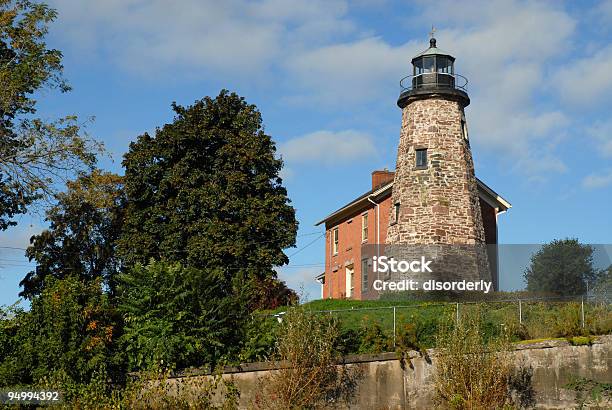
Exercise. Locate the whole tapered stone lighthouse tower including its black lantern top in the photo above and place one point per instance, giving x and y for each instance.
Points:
(435, 204)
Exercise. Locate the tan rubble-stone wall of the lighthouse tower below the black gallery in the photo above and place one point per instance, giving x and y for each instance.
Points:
(438, 204)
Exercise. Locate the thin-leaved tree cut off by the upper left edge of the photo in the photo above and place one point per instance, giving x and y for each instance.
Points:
(34, 154)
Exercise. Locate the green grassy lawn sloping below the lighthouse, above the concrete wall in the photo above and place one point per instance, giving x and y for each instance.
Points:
(539, 319)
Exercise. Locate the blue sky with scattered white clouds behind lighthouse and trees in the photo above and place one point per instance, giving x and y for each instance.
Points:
(325, 76)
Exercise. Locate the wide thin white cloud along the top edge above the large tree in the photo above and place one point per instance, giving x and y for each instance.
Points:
(239, 37)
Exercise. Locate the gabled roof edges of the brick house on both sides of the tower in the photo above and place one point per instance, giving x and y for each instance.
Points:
(484, 192)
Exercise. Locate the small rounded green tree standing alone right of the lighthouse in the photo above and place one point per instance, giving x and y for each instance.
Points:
(561, 267)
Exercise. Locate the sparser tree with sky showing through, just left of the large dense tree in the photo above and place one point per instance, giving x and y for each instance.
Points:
(83, 229)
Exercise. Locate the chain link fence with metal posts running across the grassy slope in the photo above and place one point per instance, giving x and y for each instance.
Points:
(522, 318)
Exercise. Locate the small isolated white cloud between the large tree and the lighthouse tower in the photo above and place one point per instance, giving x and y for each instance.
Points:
(328, 147)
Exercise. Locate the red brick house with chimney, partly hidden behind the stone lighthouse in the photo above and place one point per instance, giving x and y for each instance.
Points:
(365, 220)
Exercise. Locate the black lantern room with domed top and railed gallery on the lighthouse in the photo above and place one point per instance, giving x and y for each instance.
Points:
(433, 74)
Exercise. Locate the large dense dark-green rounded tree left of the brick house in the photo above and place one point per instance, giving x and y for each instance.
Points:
(206, 191)
